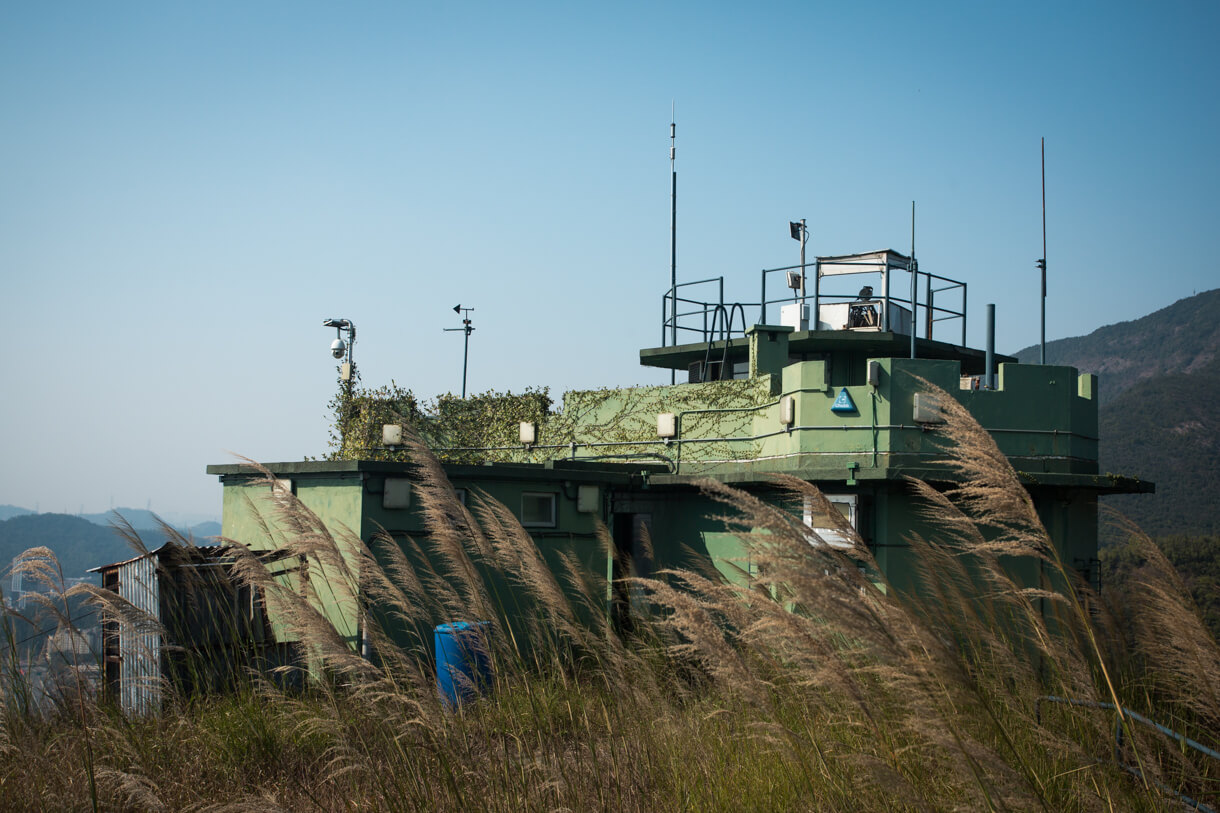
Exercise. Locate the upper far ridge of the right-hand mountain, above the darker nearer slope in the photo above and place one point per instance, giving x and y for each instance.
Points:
(1182, 339)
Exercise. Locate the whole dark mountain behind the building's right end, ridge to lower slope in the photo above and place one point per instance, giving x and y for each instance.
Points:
(1160, 416)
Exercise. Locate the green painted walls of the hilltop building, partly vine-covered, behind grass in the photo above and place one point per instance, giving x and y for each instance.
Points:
(1044, 418)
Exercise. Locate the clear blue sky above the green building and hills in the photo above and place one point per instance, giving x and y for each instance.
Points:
(188, 190)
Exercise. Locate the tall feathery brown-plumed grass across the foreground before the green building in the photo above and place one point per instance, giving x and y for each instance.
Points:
(809, 685)
